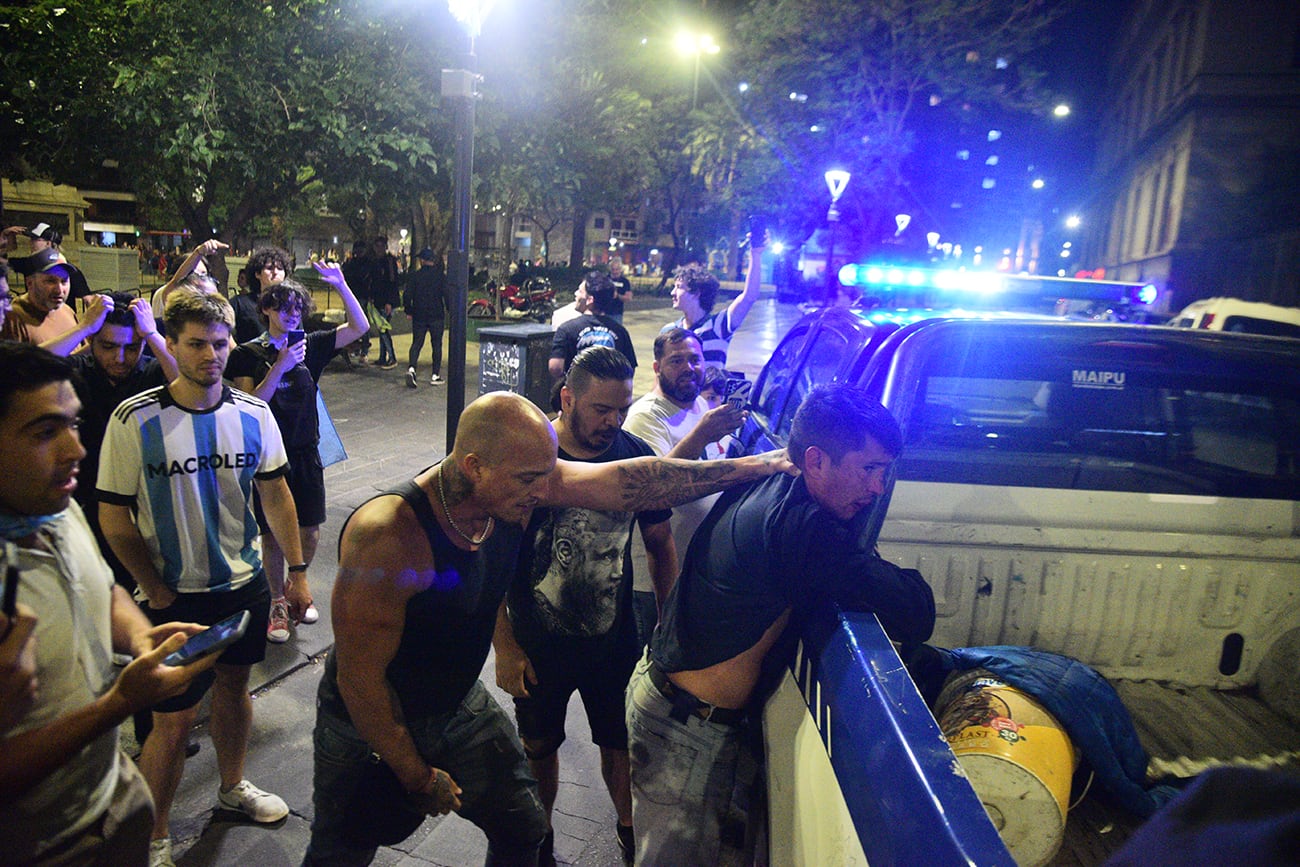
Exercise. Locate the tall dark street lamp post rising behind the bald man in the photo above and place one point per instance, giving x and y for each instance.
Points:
(458, 88)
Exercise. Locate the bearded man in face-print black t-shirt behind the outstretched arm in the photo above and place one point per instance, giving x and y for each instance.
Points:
(567, 622)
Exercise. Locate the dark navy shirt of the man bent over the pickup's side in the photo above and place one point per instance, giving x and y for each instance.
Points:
(768, 548)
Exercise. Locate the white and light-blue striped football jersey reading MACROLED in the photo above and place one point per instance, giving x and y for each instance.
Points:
(190, 475)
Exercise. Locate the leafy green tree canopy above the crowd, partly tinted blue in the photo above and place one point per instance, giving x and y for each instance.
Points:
(224, 112)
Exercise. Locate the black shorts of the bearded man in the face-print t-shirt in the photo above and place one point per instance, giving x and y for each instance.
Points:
(600, 670)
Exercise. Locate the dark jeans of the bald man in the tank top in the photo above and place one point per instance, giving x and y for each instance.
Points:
(476, 745)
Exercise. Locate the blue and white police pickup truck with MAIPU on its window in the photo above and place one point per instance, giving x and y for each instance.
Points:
(1124, 496)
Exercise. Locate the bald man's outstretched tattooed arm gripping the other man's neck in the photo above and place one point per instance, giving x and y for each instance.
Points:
(655, 483)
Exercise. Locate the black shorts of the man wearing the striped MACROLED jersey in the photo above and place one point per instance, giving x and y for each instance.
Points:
(209, 609)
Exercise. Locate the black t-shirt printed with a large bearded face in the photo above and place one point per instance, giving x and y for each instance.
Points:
(575, 567)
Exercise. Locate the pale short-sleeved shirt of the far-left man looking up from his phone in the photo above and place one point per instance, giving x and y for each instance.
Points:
(73, 666)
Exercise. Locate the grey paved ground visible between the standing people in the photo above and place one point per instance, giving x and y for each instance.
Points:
(392, 432)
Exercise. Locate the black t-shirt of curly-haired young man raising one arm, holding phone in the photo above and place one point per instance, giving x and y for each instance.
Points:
(294, 402)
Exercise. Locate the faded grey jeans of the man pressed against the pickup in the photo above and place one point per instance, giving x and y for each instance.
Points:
(683, 782)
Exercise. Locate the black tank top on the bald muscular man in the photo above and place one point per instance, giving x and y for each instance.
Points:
(449, 625)
